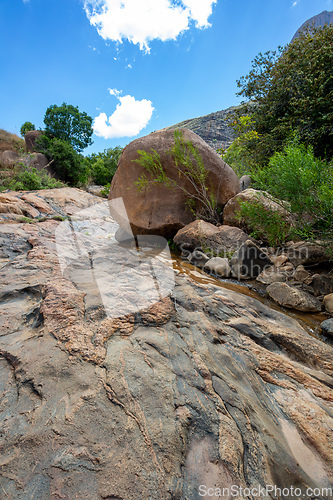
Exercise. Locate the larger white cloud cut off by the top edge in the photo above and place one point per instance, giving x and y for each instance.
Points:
(141, 21)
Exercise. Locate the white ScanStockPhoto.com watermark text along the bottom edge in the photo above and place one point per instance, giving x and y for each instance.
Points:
(263, 492)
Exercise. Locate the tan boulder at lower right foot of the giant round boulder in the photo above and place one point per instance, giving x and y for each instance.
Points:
(212, 239)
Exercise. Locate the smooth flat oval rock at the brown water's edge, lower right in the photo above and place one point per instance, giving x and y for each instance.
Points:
(293, 298)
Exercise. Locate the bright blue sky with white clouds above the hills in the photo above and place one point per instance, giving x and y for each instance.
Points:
(135, 66)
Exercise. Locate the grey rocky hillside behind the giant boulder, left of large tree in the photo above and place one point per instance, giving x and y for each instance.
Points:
(212, 128)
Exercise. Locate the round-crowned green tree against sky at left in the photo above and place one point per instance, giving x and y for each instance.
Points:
(67, 123)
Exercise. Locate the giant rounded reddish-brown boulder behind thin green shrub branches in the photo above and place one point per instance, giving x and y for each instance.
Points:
(157, 209)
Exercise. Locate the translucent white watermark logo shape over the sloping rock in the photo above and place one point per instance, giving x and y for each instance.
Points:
(131, 273)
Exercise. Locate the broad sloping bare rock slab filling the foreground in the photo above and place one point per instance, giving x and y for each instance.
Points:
(124, 379)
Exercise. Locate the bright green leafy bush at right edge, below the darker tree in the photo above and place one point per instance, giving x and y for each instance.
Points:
(296, 176)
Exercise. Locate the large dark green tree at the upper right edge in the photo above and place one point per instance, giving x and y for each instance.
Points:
(290, 91)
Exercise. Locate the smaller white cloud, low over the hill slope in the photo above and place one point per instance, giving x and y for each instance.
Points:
(129, 118)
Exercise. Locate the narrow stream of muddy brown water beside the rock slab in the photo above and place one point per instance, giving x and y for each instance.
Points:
(309, 321)
